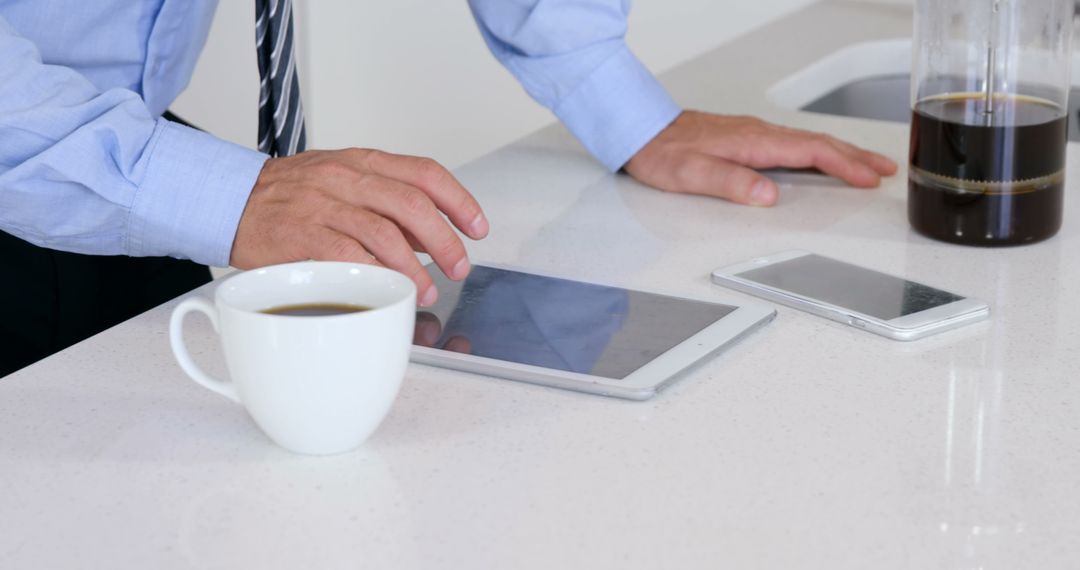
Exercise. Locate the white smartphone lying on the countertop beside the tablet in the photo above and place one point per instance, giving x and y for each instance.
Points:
(871, 301)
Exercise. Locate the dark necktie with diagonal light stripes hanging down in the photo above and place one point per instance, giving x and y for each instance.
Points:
(281, 113)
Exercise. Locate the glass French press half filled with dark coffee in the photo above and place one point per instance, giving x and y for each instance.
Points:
(990, 119)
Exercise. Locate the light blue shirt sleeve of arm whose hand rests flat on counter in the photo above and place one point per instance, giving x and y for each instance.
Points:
(571, 57)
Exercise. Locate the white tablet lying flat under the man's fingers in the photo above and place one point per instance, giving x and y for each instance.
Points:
(573, 335)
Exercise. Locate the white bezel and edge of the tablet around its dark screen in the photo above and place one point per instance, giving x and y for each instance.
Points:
(644, 383)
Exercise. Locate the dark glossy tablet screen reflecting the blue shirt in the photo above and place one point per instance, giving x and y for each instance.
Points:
(556, 323)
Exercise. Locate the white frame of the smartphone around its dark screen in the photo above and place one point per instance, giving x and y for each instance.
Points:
(907, 328)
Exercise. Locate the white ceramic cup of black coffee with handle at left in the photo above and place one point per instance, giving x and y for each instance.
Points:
(315, 385)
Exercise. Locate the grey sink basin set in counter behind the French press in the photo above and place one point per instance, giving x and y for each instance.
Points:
(887, 98)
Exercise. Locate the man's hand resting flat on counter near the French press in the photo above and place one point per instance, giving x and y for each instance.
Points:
(703, 154)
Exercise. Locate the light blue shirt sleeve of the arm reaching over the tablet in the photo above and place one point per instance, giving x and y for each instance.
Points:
(94, 172)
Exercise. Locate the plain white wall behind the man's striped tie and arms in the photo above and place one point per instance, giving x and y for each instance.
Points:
(415, 77)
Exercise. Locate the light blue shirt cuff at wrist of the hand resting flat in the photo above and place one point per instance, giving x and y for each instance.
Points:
(618, 110)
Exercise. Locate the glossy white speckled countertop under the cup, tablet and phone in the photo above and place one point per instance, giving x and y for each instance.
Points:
(809, 445)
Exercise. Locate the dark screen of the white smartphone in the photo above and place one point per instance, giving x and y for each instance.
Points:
(849, 287)
